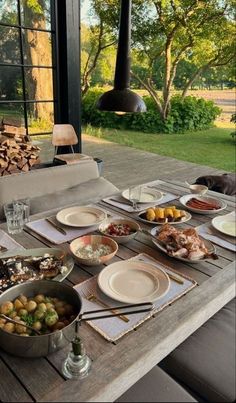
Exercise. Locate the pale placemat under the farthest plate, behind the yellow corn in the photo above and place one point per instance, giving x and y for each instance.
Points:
(122, 204)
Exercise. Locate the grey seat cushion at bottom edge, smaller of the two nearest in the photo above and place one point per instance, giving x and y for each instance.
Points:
(156, 386)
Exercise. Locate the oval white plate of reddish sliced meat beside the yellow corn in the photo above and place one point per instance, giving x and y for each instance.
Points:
(202, 204)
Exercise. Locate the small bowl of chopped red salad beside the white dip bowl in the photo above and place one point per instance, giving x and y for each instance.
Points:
(121, 230)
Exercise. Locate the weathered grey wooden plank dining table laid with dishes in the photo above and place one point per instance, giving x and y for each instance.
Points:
(116, 366)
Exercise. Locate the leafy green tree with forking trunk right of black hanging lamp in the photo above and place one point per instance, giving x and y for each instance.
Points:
(166, 32)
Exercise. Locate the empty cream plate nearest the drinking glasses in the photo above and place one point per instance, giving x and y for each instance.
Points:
(81, 216)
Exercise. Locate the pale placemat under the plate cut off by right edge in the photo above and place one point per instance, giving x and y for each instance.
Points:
(209, 232)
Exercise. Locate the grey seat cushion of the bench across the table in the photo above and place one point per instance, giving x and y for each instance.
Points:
(87, 192)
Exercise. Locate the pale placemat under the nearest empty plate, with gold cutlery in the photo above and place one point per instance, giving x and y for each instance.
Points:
(114, 328)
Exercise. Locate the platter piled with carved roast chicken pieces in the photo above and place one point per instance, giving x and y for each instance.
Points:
(183, 244)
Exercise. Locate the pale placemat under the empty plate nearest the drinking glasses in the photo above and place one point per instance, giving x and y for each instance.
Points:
(47, 231)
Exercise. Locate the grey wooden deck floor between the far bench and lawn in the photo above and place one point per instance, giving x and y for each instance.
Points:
(124, 165)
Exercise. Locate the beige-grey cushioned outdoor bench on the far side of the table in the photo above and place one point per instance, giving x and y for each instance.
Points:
(55, 187)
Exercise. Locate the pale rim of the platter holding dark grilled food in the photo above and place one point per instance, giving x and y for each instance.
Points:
(68, 261)
